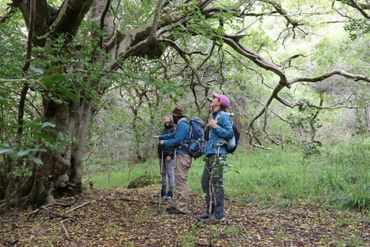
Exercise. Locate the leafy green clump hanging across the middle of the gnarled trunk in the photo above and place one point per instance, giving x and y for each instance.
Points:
(64, 74)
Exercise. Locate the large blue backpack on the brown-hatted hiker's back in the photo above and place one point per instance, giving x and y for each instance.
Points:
(196, 145)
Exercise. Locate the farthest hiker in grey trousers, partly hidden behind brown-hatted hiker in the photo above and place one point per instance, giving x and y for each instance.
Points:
(167, 162)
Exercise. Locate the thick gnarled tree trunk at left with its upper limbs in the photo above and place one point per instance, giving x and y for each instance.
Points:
(62, 170)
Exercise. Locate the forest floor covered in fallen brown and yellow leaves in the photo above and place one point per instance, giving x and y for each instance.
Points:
(133, 217)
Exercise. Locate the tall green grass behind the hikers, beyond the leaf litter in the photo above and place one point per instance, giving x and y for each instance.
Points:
(338, 176)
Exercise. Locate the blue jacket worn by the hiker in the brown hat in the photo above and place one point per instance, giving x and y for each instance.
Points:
(179, 138)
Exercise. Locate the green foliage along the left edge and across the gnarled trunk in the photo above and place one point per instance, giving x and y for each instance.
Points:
(53, 76)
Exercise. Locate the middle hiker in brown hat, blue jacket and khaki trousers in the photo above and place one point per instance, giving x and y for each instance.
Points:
(179, 140)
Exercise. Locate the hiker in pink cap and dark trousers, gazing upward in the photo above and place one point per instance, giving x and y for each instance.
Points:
(220, 130)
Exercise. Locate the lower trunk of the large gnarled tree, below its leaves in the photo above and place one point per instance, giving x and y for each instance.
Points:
(62, 172)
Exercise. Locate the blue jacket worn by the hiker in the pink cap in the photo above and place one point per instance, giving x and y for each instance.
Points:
(224, 131)
